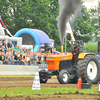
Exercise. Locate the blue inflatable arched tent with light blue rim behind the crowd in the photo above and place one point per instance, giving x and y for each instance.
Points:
(33, 37)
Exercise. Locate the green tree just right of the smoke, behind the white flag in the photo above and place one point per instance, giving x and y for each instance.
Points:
(83, 30)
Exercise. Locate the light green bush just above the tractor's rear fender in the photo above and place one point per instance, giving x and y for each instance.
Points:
(90, 48)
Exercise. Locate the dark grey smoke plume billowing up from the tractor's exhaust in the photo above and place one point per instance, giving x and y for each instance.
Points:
(67, 9)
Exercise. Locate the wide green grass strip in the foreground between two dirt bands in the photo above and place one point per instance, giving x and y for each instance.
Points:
(44, 91)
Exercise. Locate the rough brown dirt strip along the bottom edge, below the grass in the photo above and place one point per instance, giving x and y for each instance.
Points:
(56, 96)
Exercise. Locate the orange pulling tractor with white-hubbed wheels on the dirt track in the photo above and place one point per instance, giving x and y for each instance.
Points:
(61, 65)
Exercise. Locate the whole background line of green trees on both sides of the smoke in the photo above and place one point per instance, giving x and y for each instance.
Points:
(42, 14)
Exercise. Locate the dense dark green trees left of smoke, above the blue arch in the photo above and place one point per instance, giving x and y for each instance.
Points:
(36, 14)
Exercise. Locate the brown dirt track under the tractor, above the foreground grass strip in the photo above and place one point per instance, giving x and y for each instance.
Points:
(19, 82)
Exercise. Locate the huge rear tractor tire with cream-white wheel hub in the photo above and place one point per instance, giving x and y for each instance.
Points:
(88, 69)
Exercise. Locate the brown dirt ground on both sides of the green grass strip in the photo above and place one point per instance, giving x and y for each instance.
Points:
(19, 82)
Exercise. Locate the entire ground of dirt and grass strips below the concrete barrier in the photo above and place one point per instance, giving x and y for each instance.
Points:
(52, 90)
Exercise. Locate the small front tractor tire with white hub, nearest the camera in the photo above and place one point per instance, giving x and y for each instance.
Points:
(63, 77)
